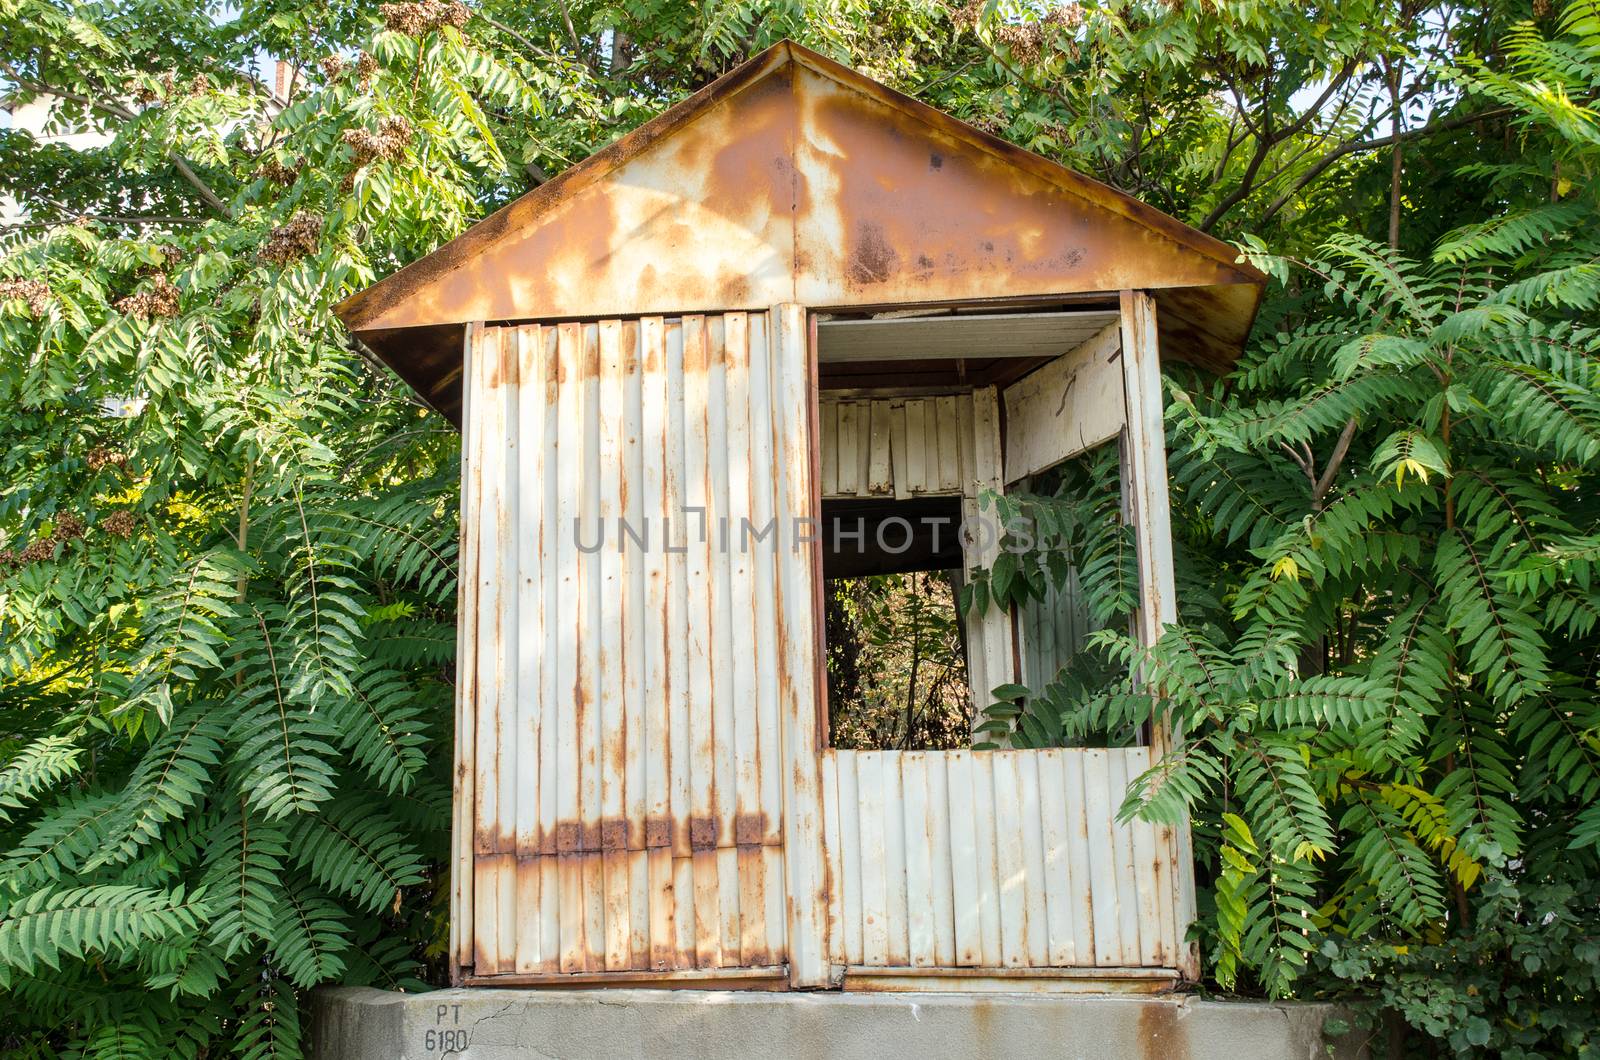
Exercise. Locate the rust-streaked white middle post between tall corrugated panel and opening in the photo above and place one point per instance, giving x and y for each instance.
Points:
(806, 864)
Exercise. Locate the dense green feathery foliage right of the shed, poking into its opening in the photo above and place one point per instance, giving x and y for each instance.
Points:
(1385, 673)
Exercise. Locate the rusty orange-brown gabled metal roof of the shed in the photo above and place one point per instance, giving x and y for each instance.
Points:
(794, 179)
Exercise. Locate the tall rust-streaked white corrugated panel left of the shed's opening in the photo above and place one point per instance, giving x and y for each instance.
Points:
(630, 686)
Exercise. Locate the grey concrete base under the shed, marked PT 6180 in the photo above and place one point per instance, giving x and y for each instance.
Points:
(358, 1024)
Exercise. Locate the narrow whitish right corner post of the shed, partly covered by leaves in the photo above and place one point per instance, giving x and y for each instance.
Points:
(1151, 512)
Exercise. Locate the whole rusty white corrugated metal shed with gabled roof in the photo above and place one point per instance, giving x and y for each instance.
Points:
(798, 287)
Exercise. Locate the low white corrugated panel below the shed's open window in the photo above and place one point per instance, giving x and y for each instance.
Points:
(996, 861)
